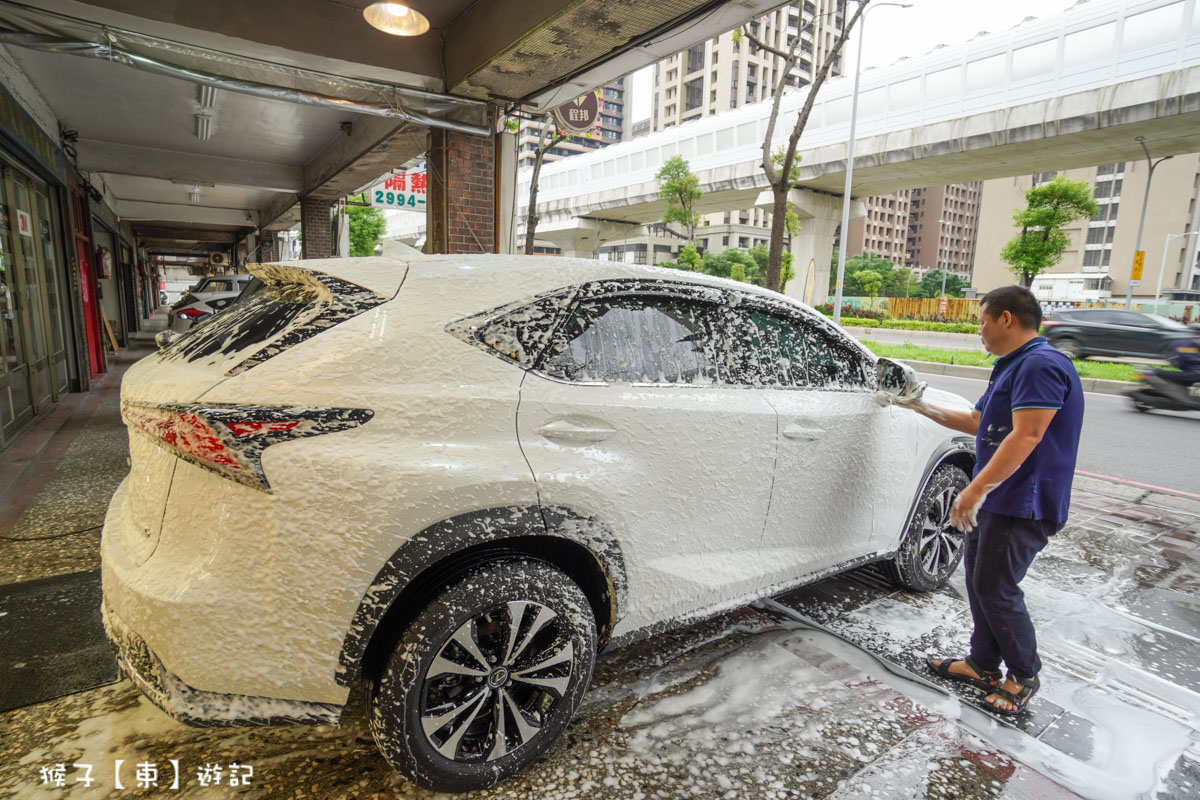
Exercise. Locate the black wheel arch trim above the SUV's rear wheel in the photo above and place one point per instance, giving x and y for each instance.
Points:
(578, 544)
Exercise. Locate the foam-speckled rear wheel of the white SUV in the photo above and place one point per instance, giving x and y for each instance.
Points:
(458, 731)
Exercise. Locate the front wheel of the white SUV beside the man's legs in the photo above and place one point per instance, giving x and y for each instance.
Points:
(932, 549)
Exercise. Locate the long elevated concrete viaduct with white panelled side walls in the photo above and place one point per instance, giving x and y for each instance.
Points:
(1066, 92)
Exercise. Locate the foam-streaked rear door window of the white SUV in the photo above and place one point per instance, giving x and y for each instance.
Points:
(638, 339)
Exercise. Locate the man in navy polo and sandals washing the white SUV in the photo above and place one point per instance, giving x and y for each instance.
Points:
(1027, 428)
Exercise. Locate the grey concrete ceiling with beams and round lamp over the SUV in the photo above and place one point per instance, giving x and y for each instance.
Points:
(262, 153)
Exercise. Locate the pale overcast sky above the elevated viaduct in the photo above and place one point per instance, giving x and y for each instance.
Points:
(896, 33)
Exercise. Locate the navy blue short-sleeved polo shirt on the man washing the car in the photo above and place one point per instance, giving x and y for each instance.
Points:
(1035, 376)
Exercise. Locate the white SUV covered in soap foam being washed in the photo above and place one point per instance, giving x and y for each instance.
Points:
(454, 479)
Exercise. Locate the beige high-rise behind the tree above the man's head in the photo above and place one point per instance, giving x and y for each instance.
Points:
(1099, 262)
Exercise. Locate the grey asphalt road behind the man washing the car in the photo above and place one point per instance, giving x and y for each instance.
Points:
(1159, 449)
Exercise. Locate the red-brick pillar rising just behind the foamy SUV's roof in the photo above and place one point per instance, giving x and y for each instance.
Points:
(461, 209)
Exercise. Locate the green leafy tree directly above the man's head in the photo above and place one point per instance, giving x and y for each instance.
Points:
(1041, 240)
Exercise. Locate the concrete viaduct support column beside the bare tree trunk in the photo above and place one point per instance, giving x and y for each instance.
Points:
(813, 246)
